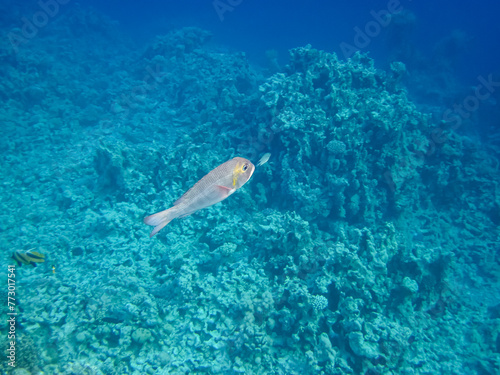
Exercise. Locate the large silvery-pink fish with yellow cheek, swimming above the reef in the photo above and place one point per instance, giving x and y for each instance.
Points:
(214, 187)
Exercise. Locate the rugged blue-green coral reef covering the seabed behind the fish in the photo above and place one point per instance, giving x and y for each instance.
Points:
(360, 247)
